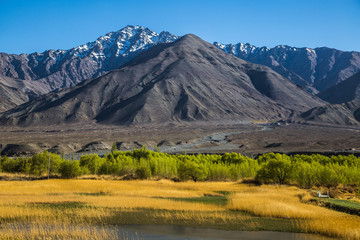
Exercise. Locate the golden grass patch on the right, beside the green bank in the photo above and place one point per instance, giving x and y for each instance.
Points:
(284, 202)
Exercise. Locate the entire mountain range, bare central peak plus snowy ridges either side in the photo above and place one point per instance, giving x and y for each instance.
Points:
(135, 75)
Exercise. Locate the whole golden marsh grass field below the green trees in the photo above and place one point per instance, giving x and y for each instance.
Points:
(91, 209)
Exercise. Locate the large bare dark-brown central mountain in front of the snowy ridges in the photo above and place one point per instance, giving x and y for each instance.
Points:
(188, 79)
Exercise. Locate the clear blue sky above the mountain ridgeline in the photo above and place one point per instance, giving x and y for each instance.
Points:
(28, 26)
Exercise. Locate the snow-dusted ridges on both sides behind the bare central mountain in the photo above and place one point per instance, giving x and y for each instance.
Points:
(314, 70)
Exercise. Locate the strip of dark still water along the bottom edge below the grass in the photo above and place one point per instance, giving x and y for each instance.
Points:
(165, 232)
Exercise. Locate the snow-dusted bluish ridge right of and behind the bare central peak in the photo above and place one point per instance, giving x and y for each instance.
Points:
(313, 69)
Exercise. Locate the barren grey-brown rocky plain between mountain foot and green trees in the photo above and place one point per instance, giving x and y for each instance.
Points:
(200, 137)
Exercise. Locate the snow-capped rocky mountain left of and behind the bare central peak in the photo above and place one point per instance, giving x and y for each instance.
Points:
(53, 70)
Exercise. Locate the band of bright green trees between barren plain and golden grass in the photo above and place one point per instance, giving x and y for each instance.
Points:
(303, 170)
